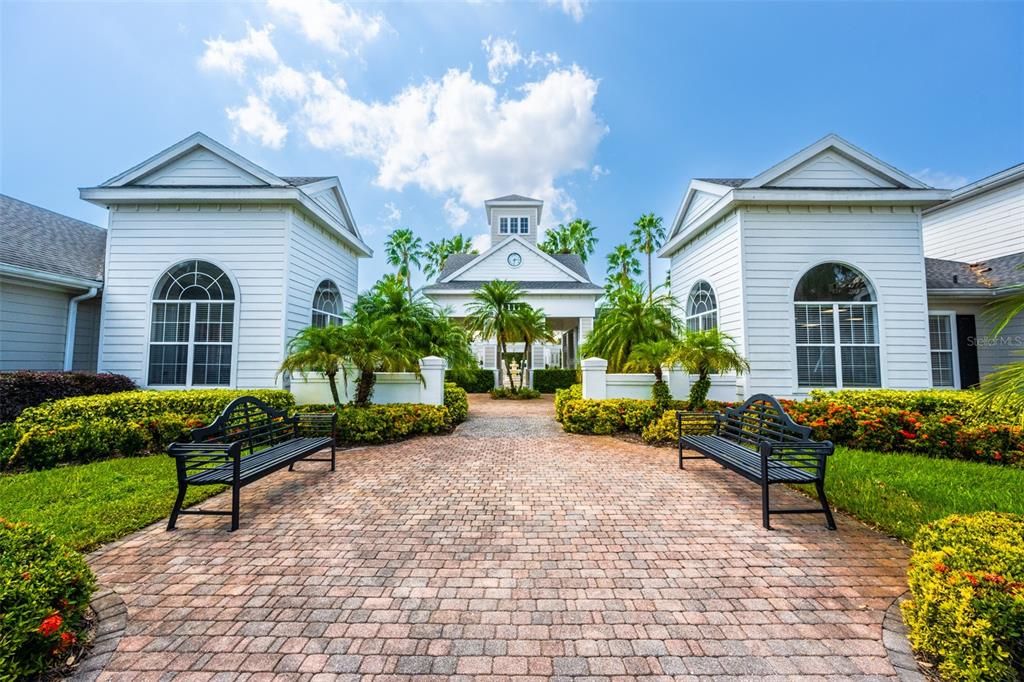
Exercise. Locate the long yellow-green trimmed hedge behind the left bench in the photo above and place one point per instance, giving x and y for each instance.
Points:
(127, 424)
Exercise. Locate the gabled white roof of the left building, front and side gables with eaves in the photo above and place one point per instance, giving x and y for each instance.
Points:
(167, 177)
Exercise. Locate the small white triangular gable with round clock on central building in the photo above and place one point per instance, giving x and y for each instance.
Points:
(493, 265)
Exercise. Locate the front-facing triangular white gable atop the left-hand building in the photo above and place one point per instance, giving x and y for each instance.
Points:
(196, 161)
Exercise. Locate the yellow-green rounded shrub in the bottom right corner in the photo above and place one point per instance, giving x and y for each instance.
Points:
(967, 606)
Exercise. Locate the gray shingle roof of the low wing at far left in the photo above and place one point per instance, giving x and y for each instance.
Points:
(41, 240)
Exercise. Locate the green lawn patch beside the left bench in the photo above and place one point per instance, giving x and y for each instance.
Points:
(90, 504)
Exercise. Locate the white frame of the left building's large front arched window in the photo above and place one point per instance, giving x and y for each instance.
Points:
(234, 344)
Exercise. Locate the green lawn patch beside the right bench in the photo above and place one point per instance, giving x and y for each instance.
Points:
(900, 493)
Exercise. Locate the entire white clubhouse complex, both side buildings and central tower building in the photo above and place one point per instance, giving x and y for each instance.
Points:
(831, 270)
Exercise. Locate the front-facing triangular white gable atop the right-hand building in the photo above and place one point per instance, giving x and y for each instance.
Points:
(834, 163)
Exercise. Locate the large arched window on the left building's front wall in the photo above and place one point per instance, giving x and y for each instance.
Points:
(192, 333)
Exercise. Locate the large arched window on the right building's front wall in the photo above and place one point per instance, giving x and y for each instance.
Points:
(837, 329)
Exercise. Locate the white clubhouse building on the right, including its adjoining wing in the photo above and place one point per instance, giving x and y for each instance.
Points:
(834, 270)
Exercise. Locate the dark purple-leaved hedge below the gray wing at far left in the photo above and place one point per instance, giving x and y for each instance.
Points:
(26, 390)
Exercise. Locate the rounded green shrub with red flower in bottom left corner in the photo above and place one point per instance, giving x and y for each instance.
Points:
(45, 593)
